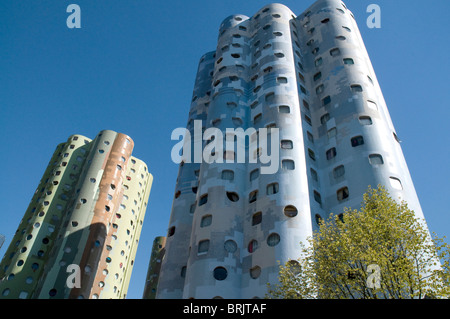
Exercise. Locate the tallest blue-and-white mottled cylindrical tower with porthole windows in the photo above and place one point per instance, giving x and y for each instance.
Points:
(310, 77)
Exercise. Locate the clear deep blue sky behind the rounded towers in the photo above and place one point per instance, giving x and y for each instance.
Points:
(140, 56)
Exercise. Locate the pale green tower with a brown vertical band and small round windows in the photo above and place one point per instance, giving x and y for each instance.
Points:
(79, 235)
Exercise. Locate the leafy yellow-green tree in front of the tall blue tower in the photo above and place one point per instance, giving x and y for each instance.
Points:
(379, 251)
